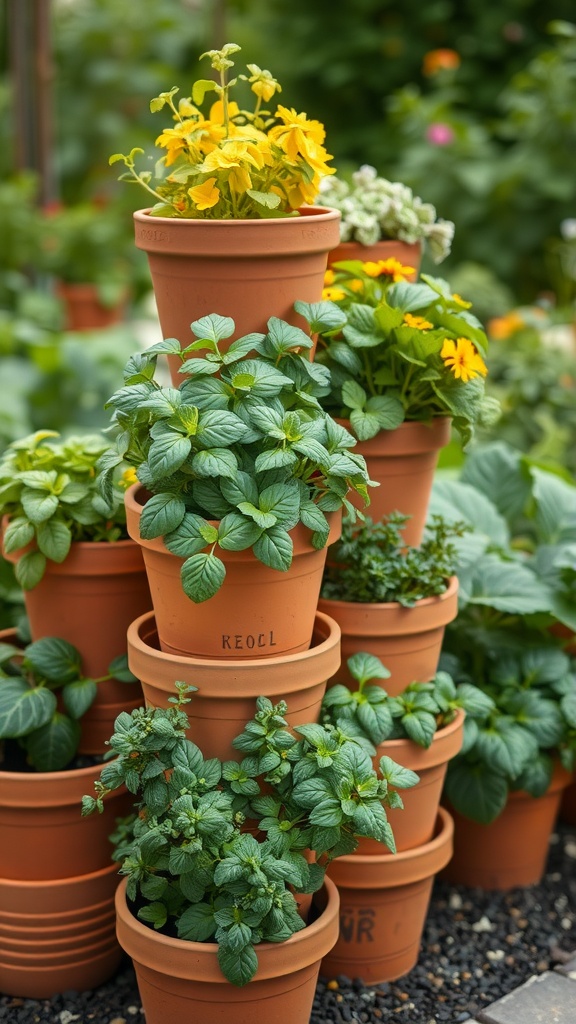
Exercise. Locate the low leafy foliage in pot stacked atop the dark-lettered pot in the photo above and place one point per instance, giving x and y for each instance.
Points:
(418, 714)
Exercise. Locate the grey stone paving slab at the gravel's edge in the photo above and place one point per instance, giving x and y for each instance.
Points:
(546, 999)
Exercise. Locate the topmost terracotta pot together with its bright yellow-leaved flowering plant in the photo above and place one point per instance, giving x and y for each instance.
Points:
(233, 227)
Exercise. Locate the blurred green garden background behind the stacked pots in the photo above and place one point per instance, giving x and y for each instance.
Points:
(471, 105)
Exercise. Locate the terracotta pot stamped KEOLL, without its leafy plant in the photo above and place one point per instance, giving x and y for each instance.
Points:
(258, 613)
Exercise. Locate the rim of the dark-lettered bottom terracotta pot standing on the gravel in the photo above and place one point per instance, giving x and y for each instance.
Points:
(386, 871)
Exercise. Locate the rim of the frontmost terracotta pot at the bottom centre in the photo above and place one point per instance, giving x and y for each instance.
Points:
(275, 959)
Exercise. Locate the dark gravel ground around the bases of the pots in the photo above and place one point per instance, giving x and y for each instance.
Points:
(477, 948)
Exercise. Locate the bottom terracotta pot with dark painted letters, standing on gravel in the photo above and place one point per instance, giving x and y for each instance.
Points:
(384, 906)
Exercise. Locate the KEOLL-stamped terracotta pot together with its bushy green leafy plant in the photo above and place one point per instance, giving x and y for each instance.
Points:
(242, 479)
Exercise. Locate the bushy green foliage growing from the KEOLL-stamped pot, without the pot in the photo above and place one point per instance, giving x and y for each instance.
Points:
(239, 454)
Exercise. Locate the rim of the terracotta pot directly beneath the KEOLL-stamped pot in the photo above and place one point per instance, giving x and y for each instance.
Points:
(237, 671)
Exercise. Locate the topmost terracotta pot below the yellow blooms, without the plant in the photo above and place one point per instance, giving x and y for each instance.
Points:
(248, 270)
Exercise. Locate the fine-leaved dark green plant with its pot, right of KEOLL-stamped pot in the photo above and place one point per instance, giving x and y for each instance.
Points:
(390, 600)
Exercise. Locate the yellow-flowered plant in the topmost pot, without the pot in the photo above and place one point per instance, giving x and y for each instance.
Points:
(233, 163)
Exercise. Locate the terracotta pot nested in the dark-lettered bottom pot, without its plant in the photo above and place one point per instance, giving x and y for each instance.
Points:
(414, 826)
